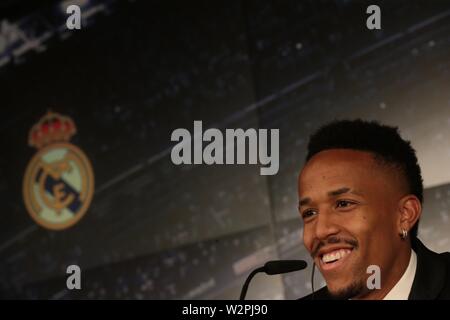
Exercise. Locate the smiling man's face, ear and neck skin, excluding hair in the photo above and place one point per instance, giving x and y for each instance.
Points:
(355, 210)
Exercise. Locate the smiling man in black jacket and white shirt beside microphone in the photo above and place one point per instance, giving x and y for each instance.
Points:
(360, 198)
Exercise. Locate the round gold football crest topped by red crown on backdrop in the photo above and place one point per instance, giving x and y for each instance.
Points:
(59, 182)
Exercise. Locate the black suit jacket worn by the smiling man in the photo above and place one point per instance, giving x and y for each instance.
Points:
(431, 282)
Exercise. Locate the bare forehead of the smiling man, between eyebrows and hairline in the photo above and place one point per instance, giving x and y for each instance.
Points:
(337, 168)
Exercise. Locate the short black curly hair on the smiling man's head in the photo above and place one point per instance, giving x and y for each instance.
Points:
(383, 141)
